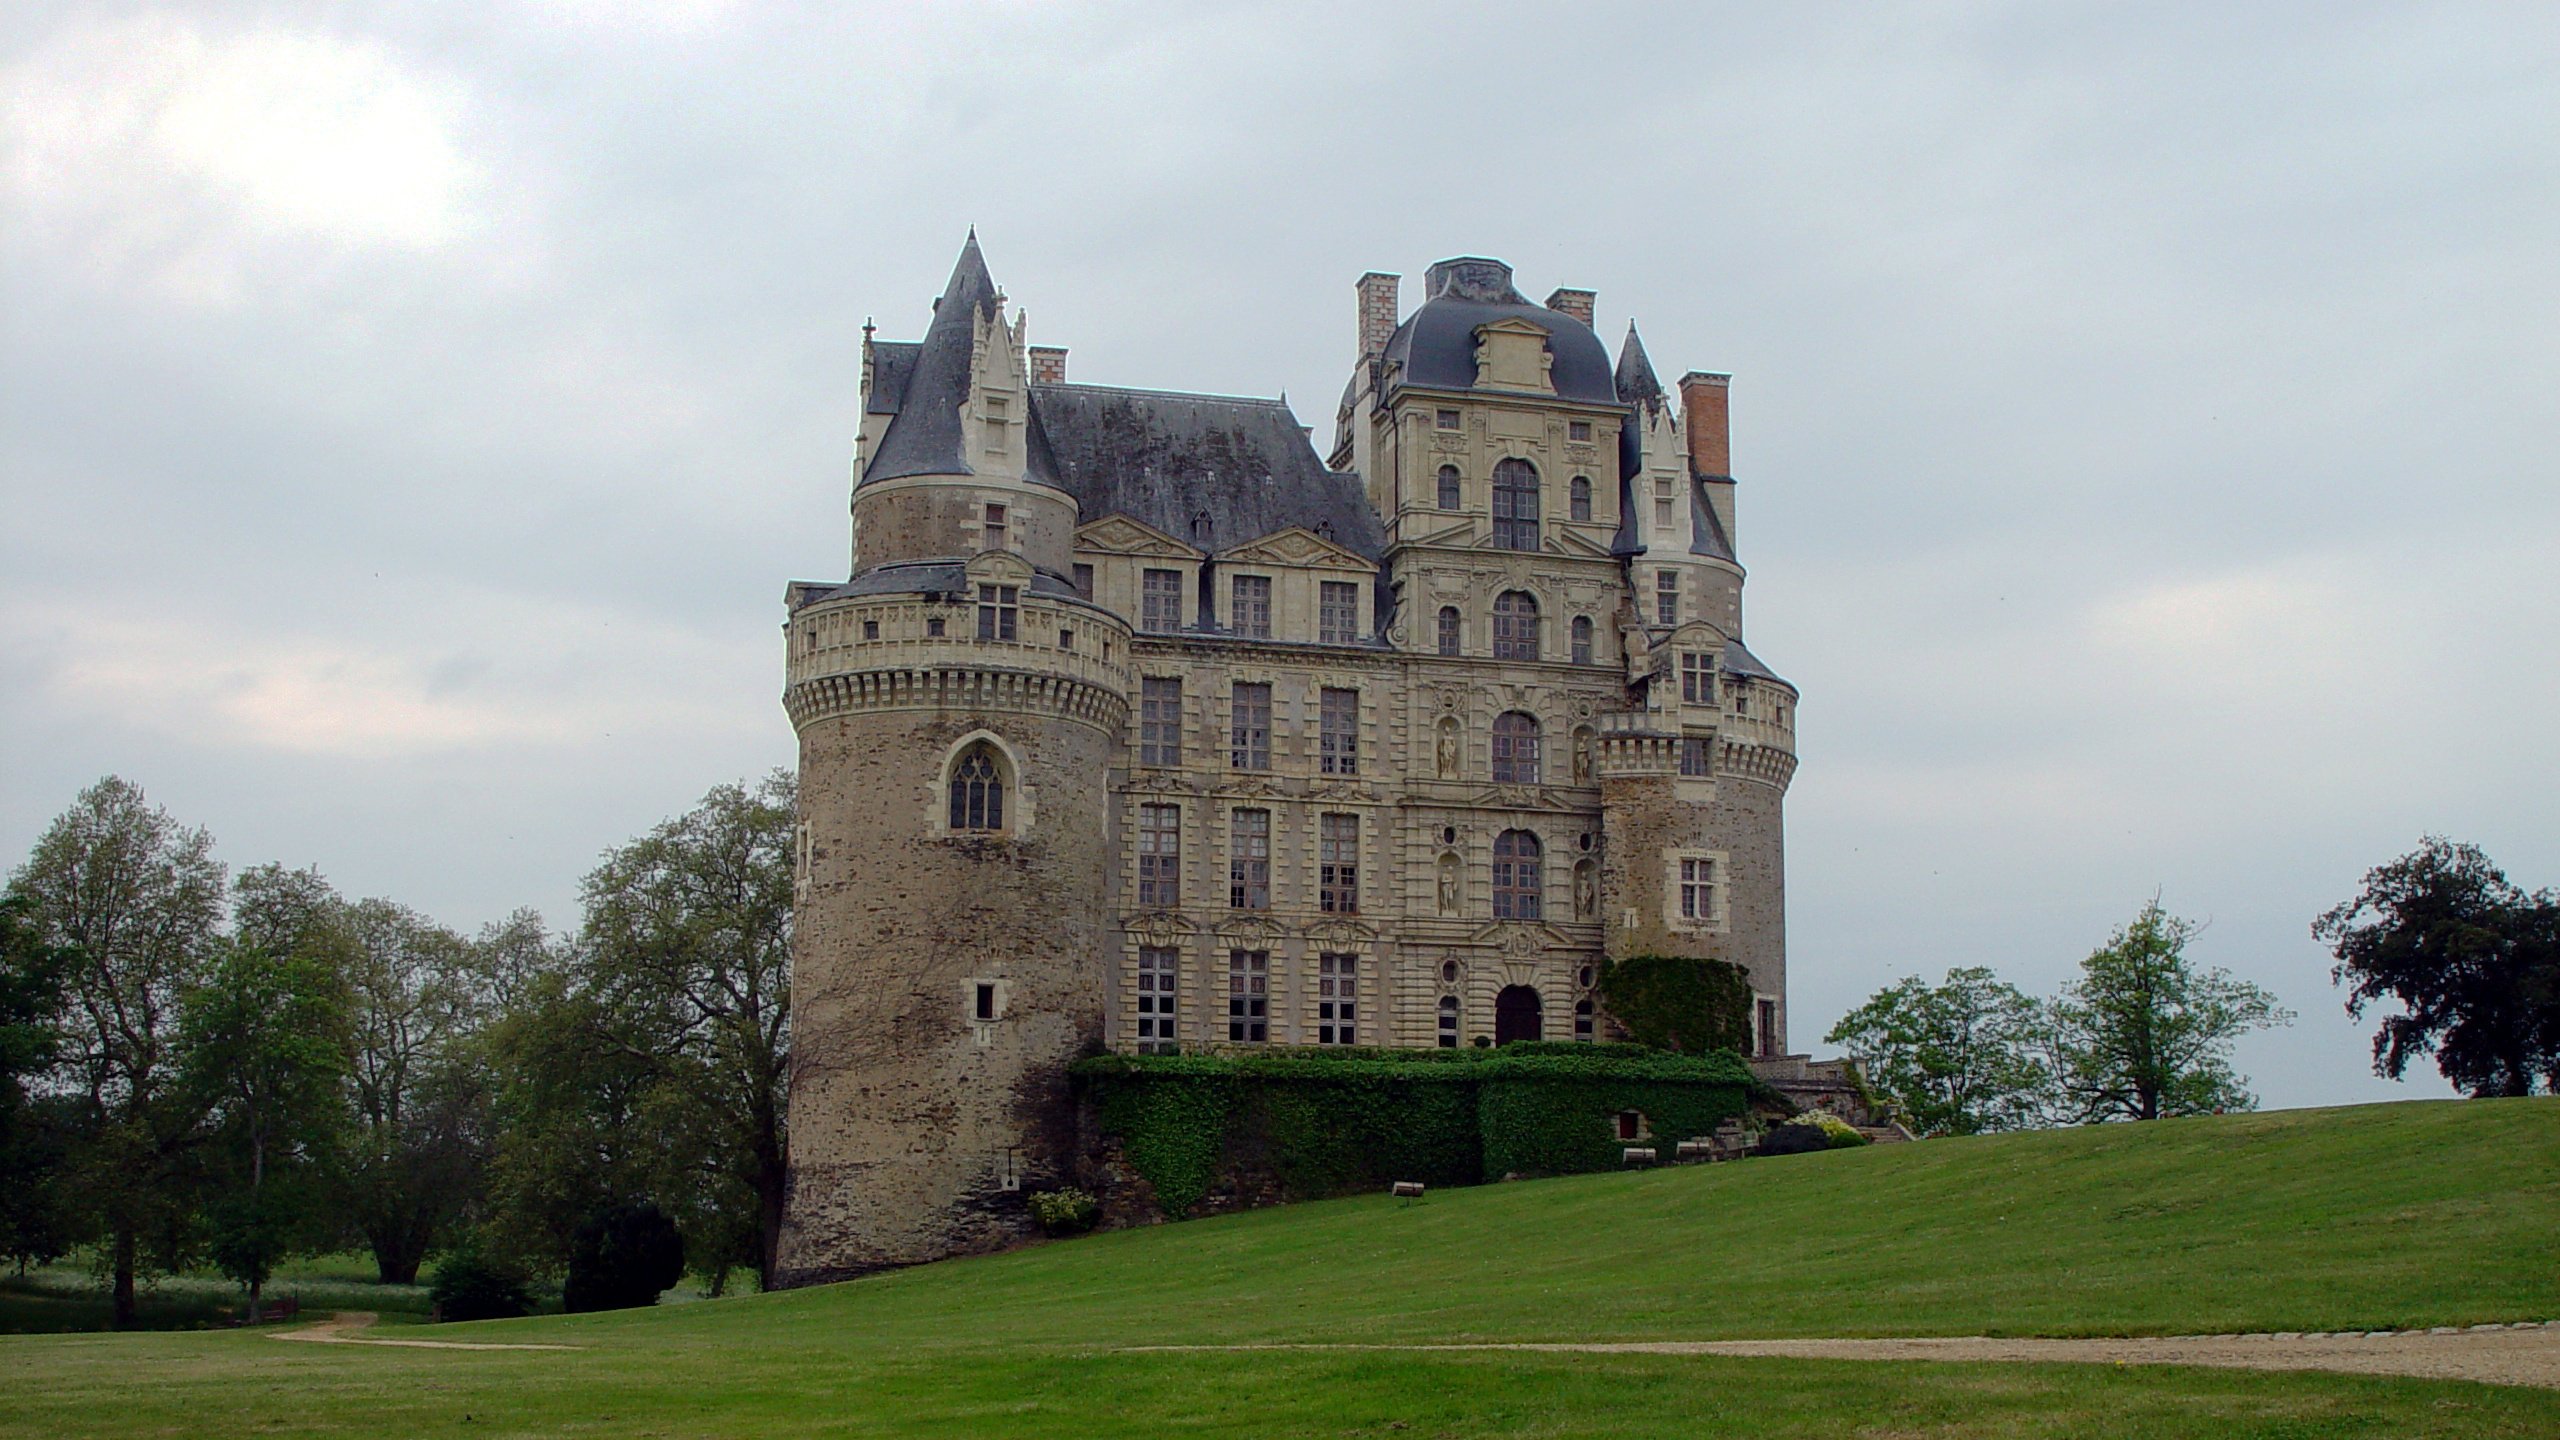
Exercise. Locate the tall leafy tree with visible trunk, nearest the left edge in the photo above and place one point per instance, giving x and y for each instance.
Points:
(137, 903)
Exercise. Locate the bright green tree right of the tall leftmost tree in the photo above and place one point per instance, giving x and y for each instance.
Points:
(265, 1044)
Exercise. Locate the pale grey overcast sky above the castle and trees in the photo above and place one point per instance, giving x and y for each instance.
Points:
(2144, 414)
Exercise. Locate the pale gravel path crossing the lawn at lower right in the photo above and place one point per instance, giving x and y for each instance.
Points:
(2492, 1354)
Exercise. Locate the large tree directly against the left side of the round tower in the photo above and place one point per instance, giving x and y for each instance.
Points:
(687, 960)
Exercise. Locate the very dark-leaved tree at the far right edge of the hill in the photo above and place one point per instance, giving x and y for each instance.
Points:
(2472, 960)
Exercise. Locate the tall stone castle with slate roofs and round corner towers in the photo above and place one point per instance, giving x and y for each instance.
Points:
(1146, 726)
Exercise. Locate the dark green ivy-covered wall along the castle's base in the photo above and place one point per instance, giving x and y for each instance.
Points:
(1348, 1121)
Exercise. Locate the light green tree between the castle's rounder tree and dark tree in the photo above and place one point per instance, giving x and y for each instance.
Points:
(2147, 1034)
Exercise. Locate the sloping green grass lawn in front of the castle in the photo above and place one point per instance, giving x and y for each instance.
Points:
(2300, 1221)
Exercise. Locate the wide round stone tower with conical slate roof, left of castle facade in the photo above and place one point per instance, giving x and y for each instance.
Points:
(959, 714)
